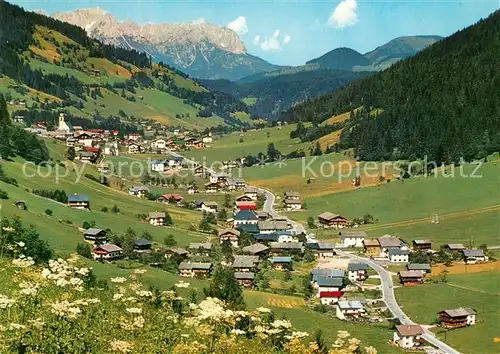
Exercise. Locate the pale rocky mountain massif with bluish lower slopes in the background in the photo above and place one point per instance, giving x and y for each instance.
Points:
(199, 49)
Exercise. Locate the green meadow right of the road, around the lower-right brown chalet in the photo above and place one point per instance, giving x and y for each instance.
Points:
(480, 291)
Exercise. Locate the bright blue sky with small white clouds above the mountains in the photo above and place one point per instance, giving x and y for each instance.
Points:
(292, 32)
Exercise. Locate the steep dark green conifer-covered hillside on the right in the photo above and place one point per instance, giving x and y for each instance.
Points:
(443, 103)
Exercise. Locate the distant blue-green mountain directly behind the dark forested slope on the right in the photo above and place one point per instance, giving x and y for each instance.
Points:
(399, 48)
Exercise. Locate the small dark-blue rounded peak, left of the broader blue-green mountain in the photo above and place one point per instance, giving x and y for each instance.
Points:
(340, 59)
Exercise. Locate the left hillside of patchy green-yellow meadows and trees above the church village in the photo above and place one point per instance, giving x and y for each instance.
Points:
(51, 66)
